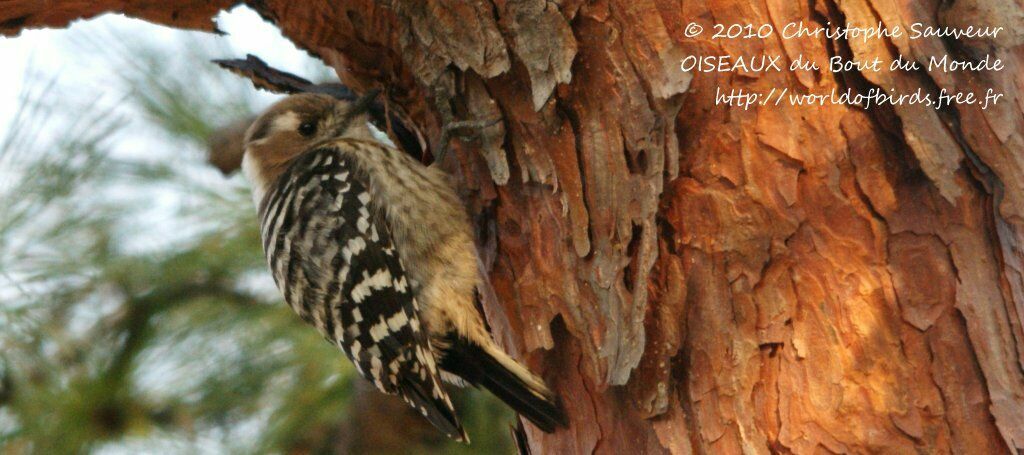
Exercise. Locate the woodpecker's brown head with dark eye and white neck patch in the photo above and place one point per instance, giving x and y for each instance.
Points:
(297, 125)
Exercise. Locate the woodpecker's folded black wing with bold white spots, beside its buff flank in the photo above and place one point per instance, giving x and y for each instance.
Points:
(379, 317)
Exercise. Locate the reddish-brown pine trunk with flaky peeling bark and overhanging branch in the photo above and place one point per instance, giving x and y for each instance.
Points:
(779, 279)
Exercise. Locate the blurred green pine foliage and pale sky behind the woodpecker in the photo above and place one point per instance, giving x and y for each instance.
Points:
(137, 312)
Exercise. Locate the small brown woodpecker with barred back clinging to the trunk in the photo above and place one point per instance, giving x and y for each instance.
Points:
(376, 251)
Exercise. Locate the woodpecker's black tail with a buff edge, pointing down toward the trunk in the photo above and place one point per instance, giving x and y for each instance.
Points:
(490, 368)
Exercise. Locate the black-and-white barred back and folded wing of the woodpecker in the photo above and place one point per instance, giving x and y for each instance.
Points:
(334, 261)
